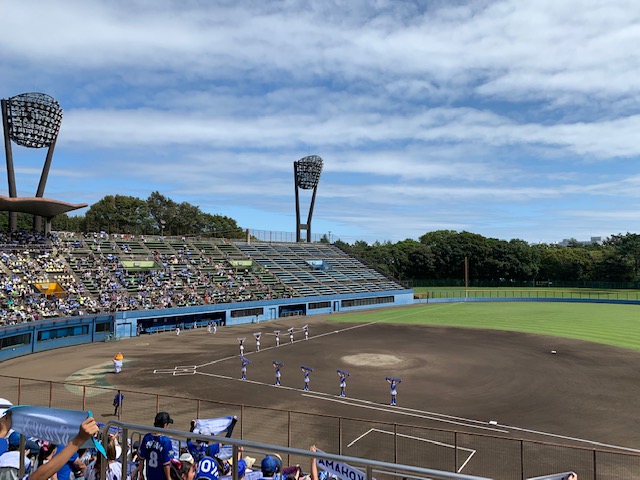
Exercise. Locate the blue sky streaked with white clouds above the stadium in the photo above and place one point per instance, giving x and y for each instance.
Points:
(510, 119)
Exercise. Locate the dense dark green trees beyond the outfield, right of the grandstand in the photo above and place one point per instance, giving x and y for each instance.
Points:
(440, 256)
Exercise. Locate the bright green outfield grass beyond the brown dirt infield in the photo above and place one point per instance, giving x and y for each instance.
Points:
(617, 325)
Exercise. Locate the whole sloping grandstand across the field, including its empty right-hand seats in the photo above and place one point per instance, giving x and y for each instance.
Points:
(105, 273)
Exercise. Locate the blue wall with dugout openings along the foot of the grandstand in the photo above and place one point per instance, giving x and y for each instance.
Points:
(27, 338)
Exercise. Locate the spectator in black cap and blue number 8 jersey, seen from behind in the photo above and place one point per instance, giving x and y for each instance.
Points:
(156, 452)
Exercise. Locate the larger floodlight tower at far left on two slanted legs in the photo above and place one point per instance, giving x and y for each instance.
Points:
(31, 120)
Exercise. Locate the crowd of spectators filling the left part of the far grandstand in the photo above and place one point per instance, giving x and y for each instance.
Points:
(93, 278)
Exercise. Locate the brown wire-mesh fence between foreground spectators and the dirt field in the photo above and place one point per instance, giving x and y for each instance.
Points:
(421, 446)
